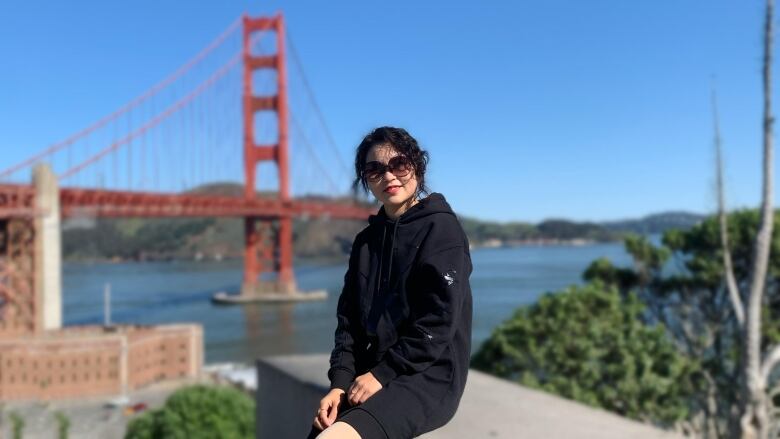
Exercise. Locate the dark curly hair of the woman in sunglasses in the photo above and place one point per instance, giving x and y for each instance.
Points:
(403, 143)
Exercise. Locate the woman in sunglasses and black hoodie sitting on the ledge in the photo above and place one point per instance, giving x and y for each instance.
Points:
(403, 339)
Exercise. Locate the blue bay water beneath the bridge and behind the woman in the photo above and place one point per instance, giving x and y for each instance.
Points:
(170, 292)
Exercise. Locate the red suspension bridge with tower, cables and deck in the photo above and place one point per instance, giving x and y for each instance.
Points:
(226, 112)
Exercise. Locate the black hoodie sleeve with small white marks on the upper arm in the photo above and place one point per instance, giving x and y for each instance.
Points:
(433, 320)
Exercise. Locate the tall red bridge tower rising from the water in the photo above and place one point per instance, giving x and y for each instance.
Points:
(268, 240)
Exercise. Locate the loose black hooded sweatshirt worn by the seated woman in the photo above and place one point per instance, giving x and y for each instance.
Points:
(406, 302)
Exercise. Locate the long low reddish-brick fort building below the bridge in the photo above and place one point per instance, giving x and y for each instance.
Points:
(93, 361)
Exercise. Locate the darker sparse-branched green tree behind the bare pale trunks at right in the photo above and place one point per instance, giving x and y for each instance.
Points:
(682, 283)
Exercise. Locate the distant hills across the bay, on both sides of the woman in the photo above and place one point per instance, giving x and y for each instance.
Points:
(219, 238)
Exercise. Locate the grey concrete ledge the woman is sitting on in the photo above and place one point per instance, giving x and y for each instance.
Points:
(290, 387)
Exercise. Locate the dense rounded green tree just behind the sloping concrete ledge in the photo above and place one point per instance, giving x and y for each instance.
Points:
(589, 344)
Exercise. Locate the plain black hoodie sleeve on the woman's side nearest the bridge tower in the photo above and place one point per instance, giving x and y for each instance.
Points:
(342, 358)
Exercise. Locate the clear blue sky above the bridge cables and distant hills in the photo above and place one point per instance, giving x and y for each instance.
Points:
(587, 110)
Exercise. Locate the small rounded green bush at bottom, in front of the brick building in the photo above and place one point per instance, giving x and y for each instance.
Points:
(197, 412)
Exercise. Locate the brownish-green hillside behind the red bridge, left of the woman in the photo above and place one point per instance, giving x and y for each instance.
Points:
(199, 238)
